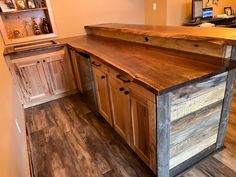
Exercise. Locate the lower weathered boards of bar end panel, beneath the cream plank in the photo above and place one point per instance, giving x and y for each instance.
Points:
(192, 134)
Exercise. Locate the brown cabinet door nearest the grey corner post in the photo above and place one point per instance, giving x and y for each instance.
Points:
(143, 117)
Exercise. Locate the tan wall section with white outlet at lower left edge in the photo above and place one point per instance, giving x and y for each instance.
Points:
(13, 161)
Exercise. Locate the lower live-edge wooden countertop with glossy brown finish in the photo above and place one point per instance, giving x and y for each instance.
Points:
(157, 69)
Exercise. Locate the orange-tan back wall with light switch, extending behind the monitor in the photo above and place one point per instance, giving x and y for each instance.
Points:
(177, 12)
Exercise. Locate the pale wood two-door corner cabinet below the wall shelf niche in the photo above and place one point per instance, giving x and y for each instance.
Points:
(42, 76)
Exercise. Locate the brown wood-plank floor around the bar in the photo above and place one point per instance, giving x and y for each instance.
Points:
(67, 140)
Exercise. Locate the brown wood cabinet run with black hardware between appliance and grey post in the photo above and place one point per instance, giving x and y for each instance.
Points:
(133, 111)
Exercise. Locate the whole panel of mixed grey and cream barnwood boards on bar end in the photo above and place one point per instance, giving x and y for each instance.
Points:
(195, 116)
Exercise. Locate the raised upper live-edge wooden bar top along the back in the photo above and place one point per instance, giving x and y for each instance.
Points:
(222, 36)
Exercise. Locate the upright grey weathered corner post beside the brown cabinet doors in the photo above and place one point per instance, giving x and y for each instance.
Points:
(163, 135)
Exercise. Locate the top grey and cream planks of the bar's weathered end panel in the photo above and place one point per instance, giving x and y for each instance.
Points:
(197, 96)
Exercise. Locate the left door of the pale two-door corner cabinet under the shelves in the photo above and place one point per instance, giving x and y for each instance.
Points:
(31, 79)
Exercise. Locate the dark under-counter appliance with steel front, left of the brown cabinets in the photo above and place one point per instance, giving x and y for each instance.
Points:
(87, 81)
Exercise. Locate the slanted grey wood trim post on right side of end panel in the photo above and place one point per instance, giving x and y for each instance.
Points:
(226, 108)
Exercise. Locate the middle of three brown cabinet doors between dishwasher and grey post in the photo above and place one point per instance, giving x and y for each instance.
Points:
(120, 102)
